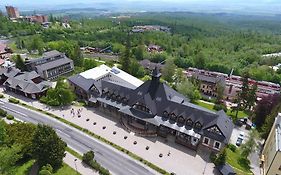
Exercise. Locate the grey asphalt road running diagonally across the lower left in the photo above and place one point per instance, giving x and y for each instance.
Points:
(117, 162)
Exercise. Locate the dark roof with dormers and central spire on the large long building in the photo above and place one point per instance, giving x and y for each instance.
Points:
(159, 98)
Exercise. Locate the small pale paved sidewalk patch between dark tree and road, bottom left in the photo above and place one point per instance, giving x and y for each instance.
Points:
(77, 165)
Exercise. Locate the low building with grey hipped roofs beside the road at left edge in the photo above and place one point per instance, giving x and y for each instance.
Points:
(29, 84)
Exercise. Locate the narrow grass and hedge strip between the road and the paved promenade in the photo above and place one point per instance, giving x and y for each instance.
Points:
(132, 155)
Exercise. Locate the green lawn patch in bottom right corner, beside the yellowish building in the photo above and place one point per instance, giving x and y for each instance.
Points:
(232, 159)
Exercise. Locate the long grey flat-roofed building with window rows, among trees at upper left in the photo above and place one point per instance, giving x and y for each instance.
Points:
(52, 65)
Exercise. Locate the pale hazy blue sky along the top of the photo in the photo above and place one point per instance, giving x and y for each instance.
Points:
(263, 6)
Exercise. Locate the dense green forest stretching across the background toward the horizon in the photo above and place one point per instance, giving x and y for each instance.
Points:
(217, 42)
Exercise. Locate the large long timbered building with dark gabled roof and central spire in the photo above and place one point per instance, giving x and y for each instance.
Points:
(153, 108)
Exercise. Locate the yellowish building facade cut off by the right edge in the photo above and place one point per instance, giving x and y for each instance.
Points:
(271, 153)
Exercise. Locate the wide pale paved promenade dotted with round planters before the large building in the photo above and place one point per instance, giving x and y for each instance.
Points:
(181, 160)
